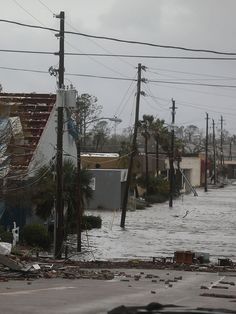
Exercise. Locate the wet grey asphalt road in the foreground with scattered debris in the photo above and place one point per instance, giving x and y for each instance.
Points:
(56, 296)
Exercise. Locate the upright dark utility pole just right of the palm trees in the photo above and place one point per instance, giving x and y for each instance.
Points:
(171, 159)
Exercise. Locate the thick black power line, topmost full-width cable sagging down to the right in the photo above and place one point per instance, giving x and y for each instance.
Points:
(121, 40)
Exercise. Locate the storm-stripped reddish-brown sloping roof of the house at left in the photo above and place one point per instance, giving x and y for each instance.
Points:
(23, 118)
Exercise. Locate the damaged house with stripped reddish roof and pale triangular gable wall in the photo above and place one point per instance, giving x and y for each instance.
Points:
(28, 141)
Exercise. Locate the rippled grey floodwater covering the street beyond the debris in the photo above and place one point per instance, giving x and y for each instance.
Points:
(209, 226)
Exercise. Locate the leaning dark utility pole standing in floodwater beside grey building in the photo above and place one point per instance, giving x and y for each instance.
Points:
(133, 148)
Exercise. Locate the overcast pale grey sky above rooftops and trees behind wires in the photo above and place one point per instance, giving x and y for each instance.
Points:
(203, 24)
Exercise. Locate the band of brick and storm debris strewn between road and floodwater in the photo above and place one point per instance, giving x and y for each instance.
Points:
(23, 267)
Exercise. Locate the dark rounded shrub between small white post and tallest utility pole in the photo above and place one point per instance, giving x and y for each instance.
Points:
(36, 235)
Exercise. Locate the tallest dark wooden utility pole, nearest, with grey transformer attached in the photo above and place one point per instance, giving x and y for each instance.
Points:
(59, 221)
